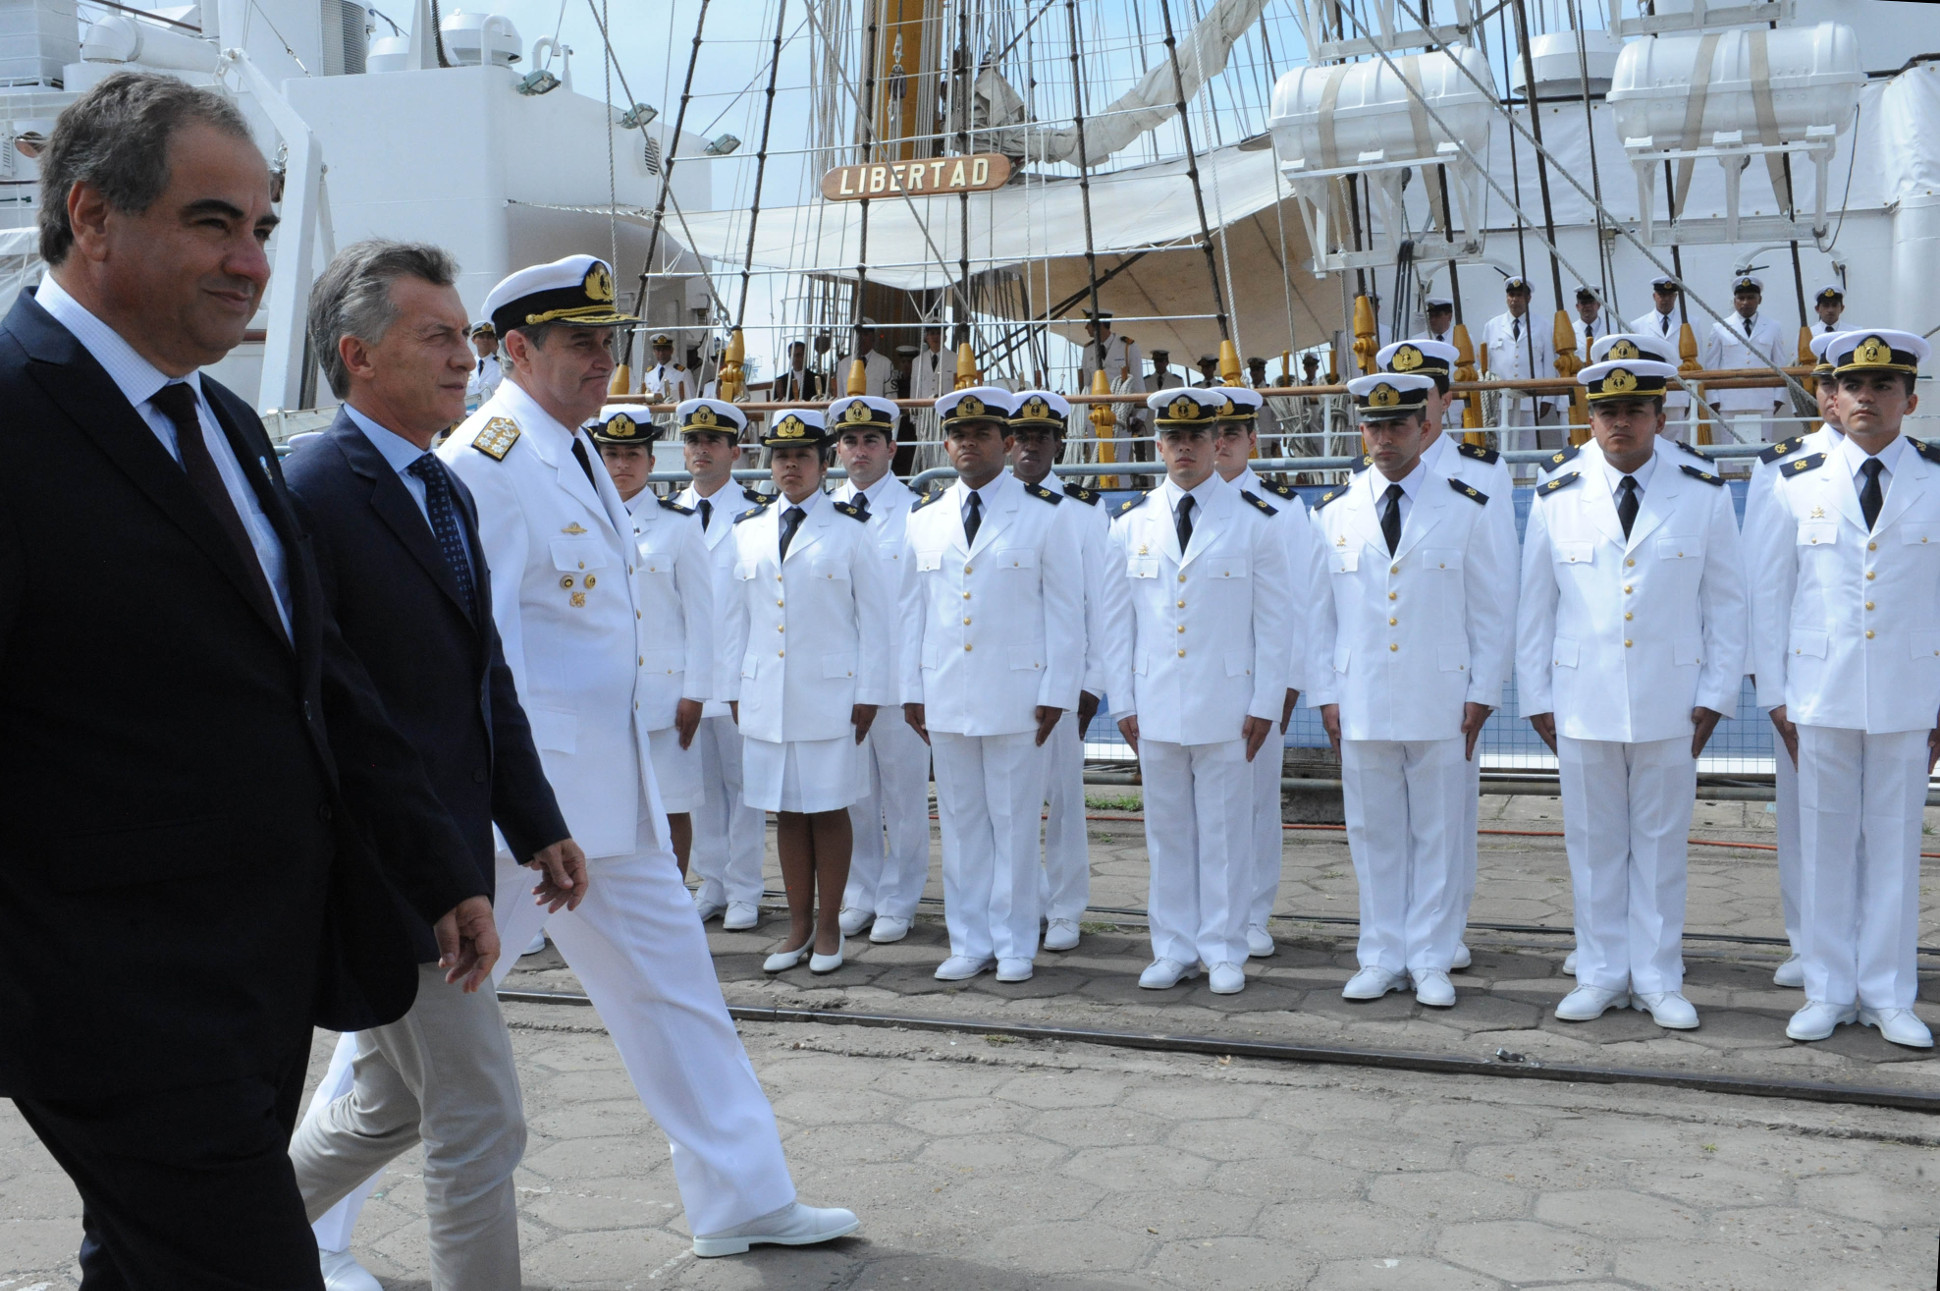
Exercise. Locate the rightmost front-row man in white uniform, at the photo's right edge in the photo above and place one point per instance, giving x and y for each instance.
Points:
(1846, 638)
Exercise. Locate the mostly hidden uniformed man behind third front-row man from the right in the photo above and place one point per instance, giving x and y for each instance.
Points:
(1448, 457)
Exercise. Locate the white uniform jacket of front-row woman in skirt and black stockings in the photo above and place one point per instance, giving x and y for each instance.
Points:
(816, 620)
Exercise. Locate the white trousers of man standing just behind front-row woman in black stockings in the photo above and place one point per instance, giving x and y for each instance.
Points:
(891, 822)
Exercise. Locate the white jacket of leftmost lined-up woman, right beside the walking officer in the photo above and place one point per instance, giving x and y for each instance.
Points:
(674, 593)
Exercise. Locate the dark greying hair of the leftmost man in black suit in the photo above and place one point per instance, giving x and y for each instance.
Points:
(117, 139)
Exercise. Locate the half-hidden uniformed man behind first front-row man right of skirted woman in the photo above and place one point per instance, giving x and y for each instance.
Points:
(1064, 888)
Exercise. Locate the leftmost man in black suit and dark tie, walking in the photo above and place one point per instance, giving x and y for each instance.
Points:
(205, 812)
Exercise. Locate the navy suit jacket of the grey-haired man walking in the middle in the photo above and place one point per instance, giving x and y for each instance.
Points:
(443, 679)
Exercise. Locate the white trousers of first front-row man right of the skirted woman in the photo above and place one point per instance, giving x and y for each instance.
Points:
(990, 795)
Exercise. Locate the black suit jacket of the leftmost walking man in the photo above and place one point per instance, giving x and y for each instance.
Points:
(183, 890)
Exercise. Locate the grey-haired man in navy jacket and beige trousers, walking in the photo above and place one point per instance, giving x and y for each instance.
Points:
(406, 581)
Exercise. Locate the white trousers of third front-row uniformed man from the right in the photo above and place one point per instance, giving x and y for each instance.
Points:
(1404, 812)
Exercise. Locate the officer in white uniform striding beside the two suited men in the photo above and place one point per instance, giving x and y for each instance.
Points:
(560, 548)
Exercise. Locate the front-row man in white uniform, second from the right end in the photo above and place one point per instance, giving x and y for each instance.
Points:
(1631, 649)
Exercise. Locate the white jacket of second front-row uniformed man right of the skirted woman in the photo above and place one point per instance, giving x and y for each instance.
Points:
(1204, 640)
